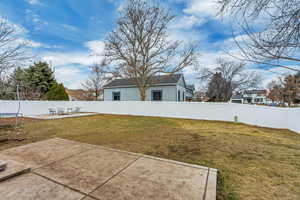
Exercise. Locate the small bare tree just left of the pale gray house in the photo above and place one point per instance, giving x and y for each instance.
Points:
(95, 82)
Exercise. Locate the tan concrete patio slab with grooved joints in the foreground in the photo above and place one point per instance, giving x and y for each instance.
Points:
(67, 170)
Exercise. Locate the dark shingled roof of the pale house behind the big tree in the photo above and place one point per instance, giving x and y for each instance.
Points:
(157, 80)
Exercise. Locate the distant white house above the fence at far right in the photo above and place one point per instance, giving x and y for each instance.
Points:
(251, 97)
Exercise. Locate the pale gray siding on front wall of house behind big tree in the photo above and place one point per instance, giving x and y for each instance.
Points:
(132, 93)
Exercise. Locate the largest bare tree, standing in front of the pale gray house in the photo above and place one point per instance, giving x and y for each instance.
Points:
(139, 47)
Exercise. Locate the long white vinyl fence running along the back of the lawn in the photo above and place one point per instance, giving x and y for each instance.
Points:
(272, 117)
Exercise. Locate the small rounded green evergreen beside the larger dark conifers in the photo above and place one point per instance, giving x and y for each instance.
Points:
(57, 93)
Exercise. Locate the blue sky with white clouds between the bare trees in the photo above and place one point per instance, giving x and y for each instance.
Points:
(68, 33)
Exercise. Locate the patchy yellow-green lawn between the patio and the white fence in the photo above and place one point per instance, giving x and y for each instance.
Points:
(253, 162)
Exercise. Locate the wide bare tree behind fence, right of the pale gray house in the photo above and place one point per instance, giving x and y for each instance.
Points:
(226, 78)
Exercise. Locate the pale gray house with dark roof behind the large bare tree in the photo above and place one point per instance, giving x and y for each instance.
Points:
(164, 88)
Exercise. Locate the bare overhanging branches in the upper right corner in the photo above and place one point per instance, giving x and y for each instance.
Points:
(278, 40)
